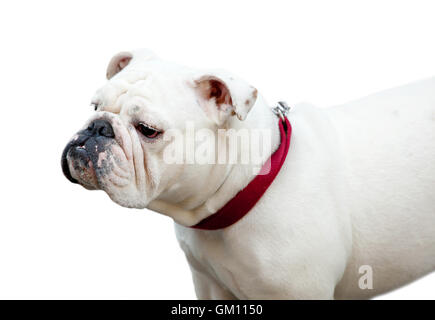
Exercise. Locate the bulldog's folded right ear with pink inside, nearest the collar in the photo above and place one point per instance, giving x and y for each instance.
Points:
(223, 96)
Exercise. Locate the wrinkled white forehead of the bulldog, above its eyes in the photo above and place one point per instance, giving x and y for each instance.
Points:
(144, 85)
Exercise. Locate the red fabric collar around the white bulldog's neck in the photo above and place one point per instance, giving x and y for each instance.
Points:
(246, 199)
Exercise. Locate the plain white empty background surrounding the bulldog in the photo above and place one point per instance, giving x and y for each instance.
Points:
(58, 240)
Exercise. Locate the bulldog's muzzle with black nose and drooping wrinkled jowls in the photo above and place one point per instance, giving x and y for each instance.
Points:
(98, 157)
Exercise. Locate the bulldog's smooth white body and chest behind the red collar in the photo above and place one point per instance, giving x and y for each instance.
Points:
(356, 190)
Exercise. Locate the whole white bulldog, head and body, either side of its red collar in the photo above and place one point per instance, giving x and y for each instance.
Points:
(350, 215)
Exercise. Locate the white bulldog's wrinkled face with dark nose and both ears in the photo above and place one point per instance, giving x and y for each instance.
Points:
(120, 149)
